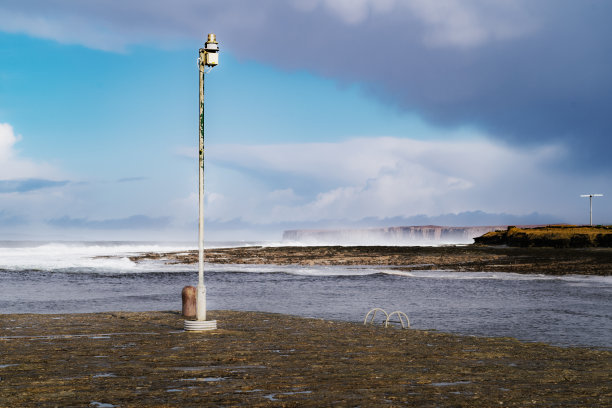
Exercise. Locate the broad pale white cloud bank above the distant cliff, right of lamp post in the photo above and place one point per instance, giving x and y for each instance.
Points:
(384, 177)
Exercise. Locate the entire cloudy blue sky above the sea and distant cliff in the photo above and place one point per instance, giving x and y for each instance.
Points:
(320, 114)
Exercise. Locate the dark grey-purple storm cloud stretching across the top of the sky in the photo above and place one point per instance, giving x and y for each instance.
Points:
(526, 72)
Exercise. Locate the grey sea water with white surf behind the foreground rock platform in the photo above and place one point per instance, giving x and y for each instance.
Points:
(37, 277)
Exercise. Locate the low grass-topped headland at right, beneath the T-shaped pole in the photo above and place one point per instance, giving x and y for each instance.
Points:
(557, 236)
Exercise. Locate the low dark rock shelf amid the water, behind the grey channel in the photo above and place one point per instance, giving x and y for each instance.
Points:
(470, 258)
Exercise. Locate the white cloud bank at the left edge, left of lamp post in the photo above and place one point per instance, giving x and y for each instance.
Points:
(34, 195)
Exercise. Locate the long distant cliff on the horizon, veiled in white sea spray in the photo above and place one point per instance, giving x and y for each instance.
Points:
(413, 235)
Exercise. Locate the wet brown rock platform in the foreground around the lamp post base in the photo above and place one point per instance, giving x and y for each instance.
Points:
(261, 359)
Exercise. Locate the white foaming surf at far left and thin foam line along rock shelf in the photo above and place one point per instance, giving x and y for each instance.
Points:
(114, 257)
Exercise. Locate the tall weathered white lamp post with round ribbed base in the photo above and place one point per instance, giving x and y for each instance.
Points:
(207, 59)
